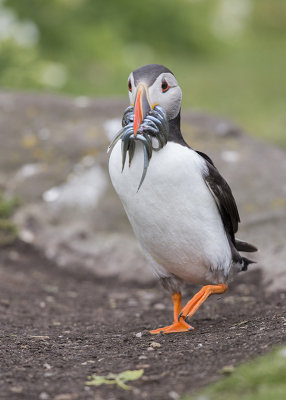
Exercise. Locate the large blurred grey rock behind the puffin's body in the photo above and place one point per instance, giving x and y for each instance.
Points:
(53, 157)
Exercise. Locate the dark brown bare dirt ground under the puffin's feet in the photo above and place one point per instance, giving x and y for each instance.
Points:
(57, 327)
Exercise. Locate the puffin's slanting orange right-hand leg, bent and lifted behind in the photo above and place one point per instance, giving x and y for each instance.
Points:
(192, 306)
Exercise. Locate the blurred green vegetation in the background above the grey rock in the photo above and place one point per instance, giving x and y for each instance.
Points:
(228, 55)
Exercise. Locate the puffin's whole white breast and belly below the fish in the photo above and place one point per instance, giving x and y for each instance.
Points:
(173, 215)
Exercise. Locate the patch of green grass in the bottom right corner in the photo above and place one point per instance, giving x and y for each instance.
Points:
(260, 379)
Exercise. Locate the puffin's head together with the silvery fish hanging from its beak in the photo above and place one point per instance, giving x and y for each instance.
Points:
(155, 99)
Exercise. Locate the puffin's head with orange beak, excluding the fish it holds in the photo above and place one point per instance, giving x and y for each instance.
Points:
(153, 85)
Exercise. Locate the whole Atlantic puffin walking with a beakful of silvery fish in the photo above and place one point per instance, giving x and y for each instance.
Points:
(181, 209)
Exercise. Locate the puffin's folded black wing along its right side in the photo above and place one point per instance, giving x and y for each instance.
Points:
(223, 197)
